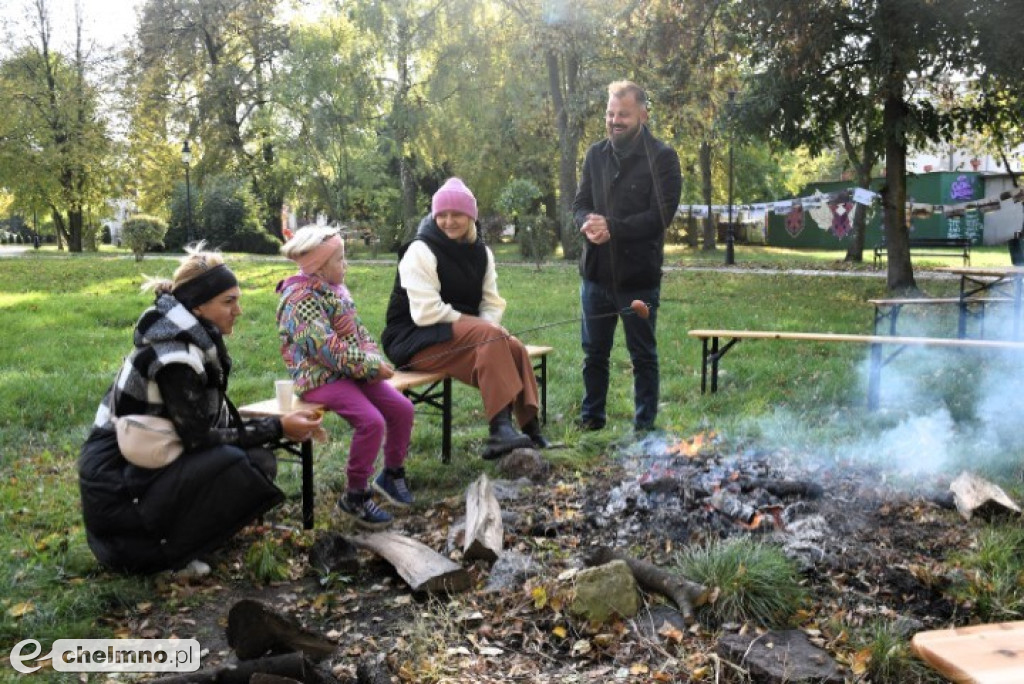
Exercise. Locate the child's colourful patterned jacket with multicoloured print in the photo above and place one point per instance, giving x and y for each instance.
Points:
(322, 337)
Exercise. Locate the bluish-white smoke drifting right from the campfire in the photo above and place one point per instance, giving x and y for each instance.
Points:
(942, 411)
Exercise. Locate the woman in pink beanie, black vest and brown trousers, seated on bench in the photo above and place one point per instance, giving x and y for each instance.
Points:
(446, 315)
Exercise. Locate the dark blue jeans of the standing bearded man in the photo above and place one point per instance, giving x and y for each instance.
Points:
(598, 335)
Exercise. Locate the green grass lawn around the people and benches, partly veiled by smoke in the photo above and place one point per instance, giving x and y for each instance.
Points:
(68, 322)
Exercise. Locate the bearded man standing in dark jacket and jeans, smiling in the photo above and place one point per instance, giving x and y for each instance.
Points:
(628, 196)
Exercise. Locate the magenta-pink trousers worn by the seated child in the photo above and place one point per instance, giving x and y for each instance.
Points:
(375, 410)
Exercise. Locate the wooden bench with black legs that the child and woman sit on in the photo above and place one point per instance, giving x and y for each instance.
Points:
(432, 390)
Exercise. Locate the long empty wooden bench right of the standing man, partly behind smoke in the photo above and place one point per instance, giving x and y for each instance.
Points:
(714, 350)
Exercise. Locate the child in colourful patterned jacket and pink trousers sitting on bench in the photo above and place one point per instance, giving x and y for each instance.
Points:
(335, 362)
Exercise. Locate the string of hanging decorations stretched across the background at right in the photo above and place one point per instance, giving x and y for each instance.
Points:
(844, 203)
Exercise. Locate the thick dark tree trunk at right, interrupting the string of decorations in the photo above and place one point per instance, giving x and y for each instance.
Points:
(901, 272)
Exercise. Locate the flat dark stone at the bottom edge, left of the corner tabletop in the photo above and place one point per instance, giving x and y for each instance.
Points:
(786, 657)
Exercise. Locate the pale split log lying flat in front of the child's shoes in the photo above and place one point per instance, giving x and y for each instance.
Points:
(423, 569)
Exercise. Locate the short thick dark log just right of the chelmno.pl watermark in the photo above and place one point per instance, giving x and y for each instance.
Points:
(254, 630)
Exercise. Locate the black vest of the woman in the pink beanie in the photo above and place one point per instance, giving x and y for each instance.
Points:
(461, 268)
